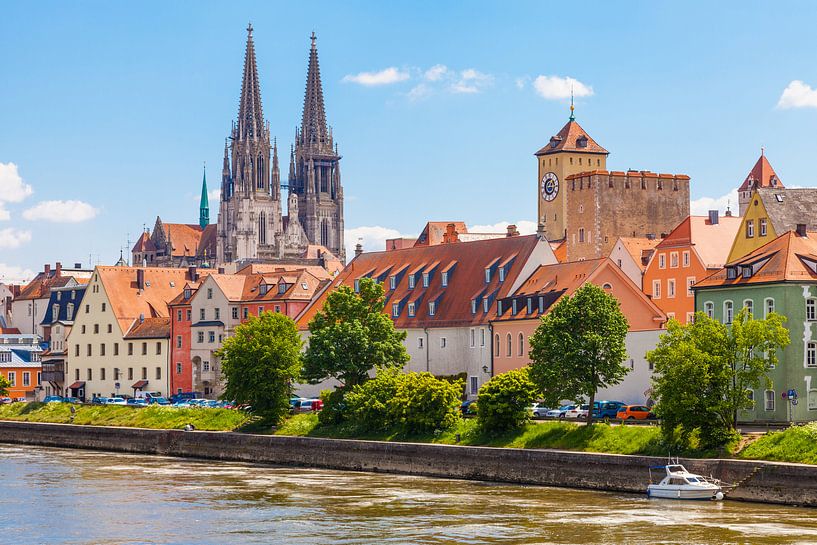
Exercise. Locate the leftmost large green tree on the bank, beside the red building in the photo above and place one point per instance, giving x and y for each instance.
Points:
(260, 363)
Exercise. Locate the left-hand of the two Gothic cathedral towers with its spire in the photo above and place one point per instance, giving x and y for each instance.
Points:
(249, 218)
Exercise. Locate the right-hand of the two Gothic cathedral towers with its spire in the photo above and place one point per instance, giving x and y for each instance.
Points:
(315, 168)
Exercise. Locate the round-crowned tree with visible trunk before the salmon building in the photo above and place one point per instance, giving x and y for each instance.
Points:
(579, 347)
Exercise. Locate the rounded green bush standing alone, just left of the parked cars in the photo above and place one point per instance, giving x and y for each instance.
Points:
(504, 401)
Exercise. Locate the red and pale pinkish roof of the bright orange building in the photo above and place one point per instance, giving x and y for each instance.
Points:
(711, 241)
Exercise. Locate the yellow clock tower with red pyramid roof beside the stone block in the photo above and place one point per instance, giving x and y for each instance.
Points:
(569, 152)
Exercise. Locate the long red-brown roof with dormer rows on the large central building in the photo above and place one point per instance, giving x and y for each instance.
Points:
(454, 300)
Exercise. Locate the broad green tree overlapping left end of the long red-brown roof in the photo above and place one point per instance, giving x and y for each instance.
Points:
(351, 336)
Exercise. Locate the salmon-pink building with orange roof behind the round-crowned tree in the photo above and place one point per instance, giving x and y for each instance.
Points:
(518, 314)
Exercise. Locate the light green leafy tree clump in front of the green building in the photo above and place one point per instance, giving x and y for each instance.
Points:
(704, 371)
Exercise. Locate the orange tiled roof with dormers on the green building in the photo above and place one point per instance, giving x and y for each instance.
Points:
(788, 258)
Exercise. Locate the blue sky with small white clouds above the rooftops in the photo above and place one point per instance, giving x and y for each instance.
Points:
(109, 110)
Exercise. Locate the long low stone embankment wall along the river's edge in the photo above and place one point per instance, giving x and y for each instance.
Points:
(793, 484)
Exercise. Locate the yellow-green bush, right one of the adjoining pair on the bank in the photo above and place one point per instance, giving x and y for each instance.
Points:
(425, 403)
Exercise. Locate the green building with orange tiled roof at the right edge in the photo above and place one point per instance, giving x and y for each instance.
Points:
(780, 276)
